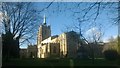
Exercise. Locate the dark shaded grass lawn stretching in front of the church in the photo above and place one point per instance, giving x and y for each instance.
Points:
(59, 62)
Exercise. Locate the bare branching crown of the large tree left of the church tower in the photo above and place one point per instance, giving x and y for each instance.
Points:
(21, 19)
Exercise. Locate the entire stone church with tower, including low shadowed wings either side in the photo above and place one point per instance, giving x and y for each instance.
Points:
(65, 45)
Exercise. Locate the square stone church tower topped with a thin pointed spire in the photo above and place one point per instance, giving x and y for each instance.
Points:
(44, 31)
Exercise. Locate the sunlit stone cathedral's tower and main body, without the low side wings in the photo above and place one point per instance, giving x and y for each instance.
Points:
(58, 46)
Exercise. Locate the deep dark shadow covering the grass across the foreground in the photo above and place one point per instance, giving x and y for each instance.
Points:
(53, 63)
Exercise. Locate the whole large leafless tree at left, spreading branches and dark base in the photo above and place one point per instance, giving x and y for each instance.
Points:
(20, 22)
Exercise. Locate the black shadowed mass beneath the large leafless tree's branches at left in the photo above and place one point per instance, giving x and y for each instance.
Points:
(10, 46)
